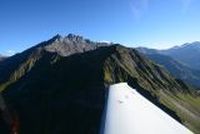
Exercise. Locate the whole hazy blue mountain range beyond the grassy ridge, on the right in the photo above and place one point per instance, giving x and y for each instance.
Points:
(181, 61)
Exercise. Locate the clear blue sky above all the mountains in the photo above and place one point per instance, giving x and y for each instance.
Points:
(151, 23)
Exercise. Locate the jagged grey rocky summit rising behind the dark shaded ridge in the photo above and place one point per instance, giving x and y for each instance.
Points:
(70, 44)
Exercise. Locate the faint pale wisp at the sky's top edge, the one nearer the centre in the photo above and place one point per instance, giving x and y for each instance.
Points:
(139, 7)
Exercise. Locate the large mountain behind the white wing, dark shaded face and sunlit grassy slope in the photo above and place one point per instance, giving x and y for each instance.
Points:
(56, 92)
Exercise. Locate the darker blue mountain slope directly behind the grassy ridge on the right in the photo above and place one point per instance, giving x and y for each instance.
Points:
(177, 68)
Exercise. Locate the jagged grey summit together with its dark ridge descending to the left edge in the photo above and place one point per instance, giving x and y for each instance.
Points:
(64, 46)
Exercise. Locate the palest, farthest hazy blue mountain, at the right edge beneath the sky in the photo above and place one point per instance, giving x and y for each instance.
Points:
(187, 54)
